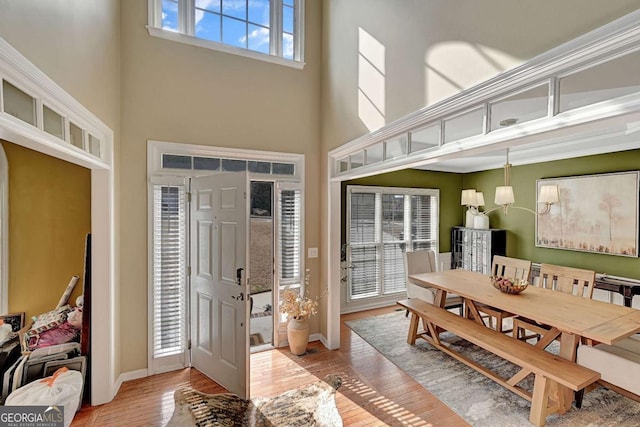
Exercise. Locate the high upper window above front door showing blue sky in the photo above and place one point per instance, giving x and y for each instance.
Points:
(244, 27)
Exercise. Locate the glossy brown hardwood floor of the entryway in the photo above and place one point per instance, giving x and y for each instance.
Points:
(374, 391)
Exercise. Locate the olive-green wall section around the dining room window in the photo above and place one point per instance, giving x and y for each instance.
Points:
(449, 184)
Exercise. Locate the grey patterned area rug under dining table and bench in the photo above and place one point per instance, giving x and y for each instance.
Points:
(474, 397)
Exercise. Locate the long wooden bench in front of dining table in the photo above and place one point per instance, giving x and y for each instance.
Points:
(550, 370)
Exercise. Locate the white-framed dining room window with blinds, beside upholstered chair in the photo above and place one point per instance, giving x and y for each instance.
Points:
(383, 223)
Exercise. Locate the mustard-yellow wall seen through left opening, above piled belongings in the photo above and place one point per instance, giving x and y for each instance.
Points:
(49, 217)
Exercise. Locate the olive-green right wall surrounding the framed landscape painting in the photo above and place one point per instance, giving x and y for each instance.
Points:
(520, 225)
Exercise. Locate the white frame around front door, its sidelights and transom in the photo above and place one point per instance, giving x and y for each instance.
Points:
(156, 175)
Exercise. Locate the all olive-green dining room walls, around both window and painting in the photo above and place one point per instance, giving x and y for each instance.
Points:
(520, 225)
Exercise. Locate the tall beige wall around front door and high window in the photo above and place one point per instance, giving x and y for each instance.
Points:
(179, 93)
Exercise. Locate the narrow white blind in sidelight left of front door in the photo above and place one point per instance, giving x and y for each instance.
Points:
(168, 270)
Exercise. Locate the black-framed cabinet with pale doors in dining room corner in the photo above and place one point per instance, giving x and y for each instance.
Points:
(473, 249)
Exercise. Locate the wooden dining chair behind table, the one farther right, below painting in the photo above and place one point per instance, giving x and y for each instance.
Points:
(573, 281)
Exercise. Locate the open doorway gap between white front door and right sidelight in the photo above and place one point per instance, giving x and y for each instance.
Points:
(261, 274)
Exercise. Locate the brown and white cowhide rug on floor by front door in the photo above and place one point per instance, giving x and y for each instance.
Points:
(313, 405)
